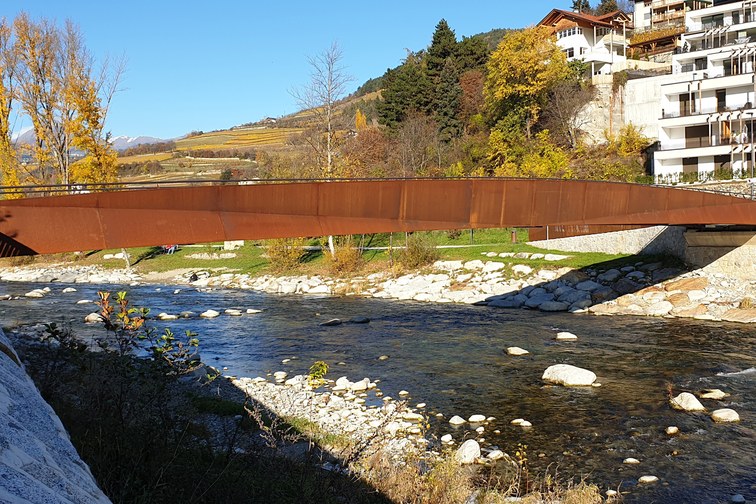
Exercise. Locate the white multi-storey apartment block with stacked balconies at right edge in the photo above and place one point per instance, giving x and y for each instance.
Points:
(708, 116)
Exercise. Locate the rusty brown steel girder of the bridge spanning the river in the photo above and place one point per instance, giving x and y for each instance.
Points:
(149, 217)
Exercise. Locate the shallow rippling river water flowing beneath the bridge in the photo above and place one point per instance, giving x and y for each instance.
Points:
(452, 358)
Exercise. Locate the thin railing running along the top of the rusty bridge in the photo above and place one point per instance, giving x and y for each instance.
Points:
(42, 190)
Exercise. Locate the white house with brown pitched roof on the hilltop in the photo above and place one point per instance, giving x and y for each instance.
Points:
(600, 41)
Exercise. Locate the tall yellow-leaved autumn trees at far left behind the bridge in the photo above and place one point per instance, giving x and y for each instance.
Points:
(49, 72)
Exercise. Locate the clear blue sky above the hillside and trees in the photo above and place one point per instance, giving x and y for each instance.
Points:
(209, 65)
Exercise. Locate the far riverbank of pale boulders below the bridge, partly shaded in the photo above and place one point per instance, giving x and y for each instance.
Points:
(655, 288)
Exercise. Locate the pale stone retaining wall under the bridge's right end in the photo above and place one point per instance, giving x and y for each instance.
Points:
(667, 240)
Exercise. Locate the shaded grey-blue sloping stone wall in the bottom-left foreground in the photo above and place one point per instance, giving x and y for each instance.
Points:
(38, 463)
